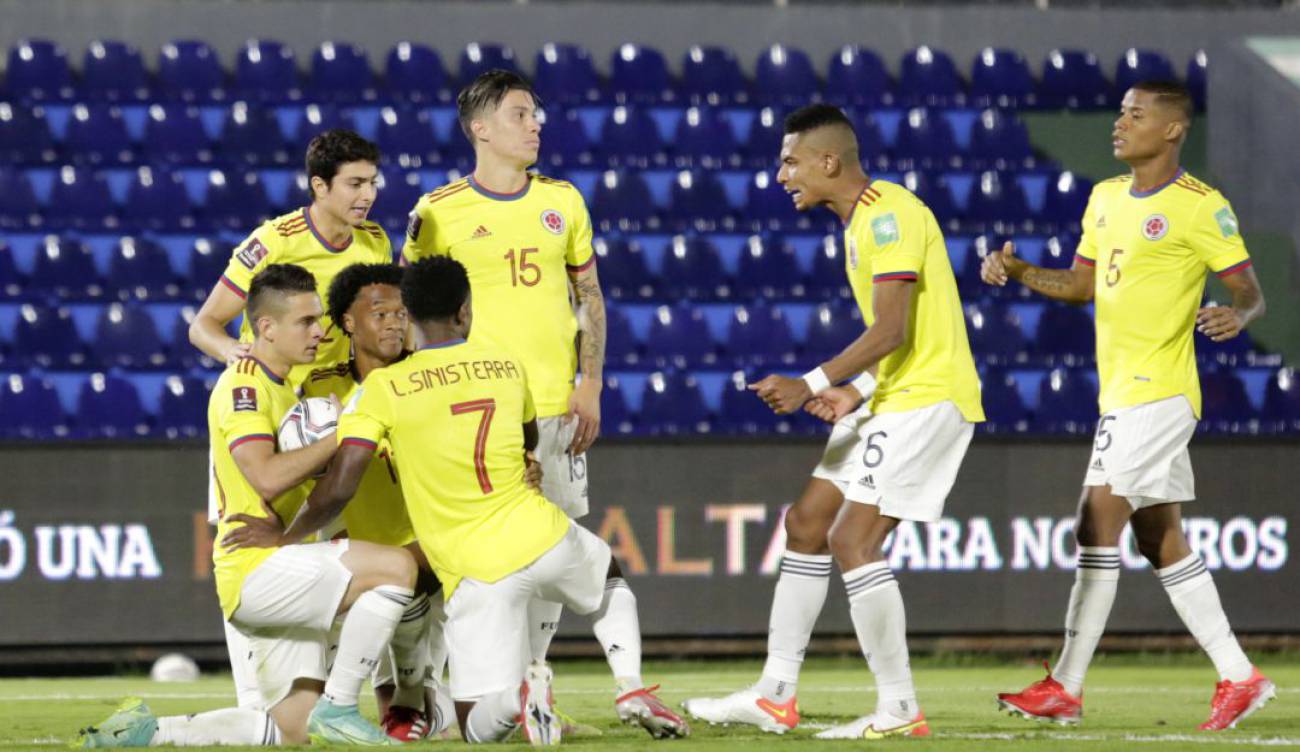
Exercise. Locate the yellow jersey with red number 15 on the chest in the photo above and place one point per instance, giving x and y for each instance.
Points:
(517, 249)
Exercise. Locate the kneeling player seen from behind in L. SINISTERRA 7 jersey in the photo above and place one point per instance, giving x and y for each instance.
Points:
(461, 418)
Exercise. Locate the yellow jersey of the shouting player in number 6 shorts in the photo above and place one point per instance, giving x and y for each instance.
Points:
(894, 236)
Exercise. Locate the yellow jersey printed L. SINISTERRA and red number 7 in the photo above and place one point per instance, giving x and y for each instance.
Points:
(454, 414)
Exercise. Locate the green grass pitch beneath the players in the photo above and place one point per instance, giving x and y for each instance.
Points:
(1132, 703)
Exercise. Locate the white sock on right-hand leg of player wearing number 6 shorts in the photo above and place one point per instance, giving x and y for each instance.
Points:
(881, 624)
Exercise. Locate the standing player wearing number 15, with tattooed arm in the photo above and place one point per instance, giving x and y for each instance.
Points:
(527, 243)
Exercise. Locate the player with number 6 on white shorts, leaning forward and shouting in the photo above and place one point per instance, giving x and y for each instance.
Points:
(899, 438)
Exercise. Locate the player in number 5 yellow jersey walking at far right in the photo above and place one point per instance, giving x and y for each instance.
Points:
(1150, 237)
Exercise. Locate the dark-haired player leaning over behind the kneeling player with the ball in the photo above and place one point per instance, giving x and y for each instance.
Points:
(324, 237)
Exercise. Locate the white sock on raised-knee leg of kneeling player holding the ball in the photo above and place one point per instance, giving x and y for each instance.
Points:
(367, 632)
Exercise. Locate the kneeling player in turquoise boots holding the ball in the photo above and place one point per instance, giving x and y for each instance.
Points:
(283, 599)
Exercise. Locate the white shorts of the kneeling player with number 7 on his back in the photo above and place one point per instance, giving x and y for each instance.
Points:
(487, 630)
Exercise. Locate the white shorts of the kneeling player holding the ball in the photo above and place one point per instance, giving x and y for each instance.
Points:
(287, 608)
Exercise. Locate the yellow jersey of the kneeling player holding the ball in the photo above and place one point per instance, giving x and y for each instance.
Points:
(246, 405)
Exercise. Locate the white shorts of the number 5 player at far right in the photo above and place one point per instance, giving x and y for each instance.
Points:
(1141, 452)
